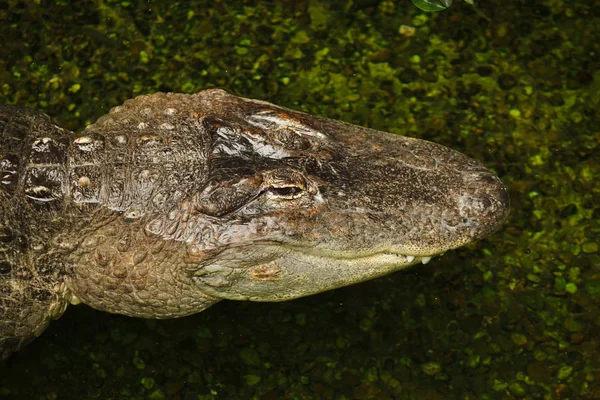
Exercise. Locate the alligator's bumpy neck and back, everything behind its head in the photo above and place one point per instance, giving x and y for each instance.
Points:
(74, 206)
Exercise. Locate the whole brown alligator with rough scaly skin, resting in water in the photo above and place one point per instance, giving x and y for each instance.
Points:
(172, 202)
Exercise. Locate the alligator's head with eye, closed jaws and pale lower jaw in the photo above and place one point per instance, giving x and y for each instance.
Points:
(289, 204)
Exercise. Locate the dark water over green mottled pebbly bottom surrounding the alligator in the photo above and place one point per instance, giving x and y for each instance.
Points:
(514, 84)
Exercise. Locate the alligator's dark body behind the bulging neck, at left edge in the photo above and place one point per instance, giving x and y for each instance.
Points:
(32, 170)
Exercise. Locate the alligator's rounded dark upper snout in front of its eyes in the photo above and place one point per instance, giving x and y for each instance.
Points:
(410, 196)
